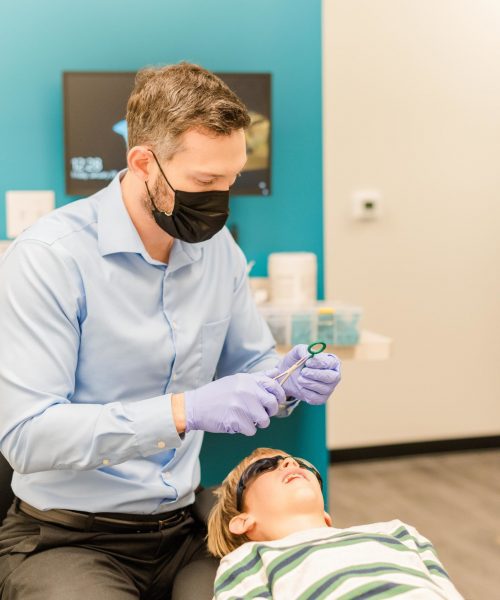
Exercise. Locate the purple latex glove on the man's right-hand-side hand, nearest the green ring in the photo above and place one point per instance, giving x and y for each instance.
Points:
(315, 381)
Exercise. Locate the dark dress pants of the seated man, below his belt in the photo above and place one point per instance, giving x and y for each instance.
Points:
(41, 561)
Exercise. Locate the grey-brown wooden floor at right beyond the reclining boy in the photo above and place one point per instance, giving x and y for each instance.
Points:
(453, 499)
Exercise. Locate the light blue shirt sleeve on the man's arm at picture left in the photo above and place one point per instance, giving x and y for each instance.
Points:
(42, 304)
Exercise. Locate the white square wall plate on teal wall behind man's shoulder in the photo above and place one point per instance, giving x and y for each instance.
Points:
(26, 207)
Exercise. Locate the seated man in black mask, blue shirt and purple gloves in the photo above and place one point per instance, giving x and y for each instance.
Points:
(117, 313)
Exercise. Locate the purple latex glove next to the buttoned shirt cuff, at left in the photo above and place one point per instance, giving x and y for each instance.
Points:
(235, 404)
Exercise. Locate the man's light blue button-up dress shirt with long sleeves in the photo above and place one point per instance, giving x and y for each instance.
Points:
(94, 336)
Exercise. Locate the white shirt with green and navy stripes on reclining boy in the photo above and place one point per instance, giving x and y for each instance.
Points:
(380, 560)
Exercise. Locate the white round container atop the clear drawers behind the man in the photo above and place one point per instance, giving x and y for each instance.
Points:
(292, 278)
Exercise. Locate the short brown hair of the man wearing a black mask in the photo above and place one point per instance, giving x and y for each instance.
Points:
(167, 101)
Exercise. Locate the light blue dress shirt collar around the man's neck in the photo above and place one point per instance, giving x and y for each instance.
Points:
(117, 233)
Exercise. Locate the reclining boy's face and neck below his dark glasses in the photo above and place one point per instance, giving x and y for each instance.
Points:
(284, 494)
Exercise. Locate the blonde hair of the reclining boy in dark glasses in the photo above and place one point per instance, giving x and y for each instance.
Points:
(220, 540)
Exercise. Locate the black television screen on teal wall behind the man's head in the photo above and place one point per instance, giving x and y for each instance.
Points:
(95, 129)
